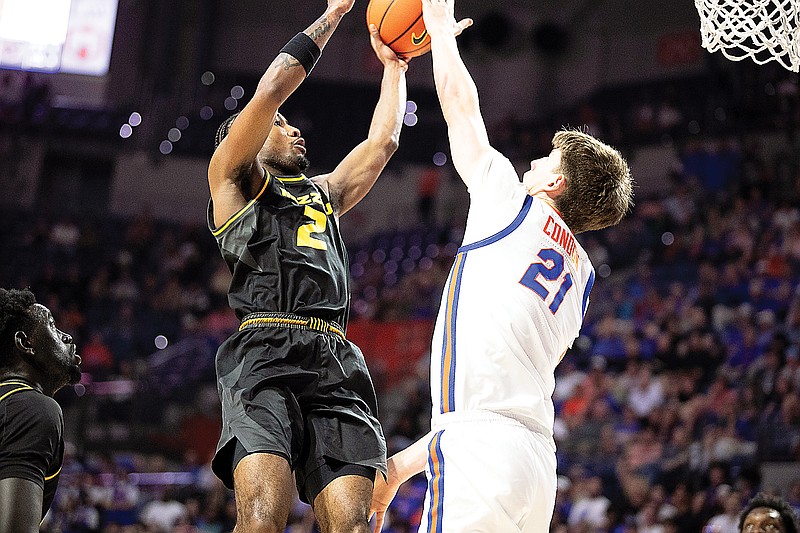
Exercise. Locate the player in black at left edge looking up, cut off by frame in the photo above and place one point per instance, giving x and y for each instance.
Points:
(36, 359)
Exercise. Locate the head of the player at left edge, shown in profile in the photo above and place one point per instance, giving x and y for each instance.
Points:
(31, 344)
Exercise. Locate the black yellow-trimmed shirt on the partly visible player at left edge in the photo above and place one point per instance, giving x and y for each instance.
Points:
(31, 437)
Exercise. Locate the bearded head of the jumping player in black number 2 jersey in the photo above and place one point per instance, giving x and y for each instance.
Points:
(284, 151)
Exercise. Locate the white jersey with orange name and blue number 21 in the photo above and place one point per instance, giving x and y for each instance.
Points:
(513, 304)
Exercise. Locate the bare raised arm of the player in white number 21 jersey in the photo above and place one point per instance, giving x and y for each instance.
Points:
(458, 95)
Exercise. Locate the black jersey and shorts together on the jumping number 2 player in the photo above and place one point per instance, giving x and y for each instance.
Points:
(289, 381)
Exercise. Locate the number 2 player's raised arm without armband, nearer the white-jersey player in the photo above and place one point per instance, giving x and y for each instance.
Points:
(352, 179)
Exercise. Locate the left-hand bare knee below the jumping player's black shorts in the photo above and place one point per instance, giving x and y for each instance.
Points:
(263, 486)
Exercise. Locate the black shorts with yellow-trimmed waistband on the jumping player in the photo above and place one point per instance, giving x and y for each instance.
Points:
(295, 387)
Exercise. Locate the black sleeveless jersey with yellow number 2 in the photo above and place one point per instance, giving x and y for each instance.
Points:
(285, 252)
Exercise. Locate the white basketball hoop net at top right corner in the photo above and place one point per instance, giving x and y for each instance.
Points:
(764, 30)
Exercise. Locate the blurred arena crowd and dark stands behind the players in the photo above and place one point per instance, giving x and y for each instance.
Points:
(680, 399)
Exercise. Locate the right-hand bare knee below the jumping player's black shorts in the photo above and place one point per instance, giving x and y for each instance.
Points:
(343, 506)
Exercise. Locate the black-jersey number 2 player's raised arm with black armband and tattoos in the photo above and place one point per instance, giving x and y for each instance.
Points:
(234, 169)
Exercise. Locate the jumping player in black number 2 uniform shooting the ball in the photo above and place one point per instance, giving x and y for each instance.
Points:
(297, 399)
